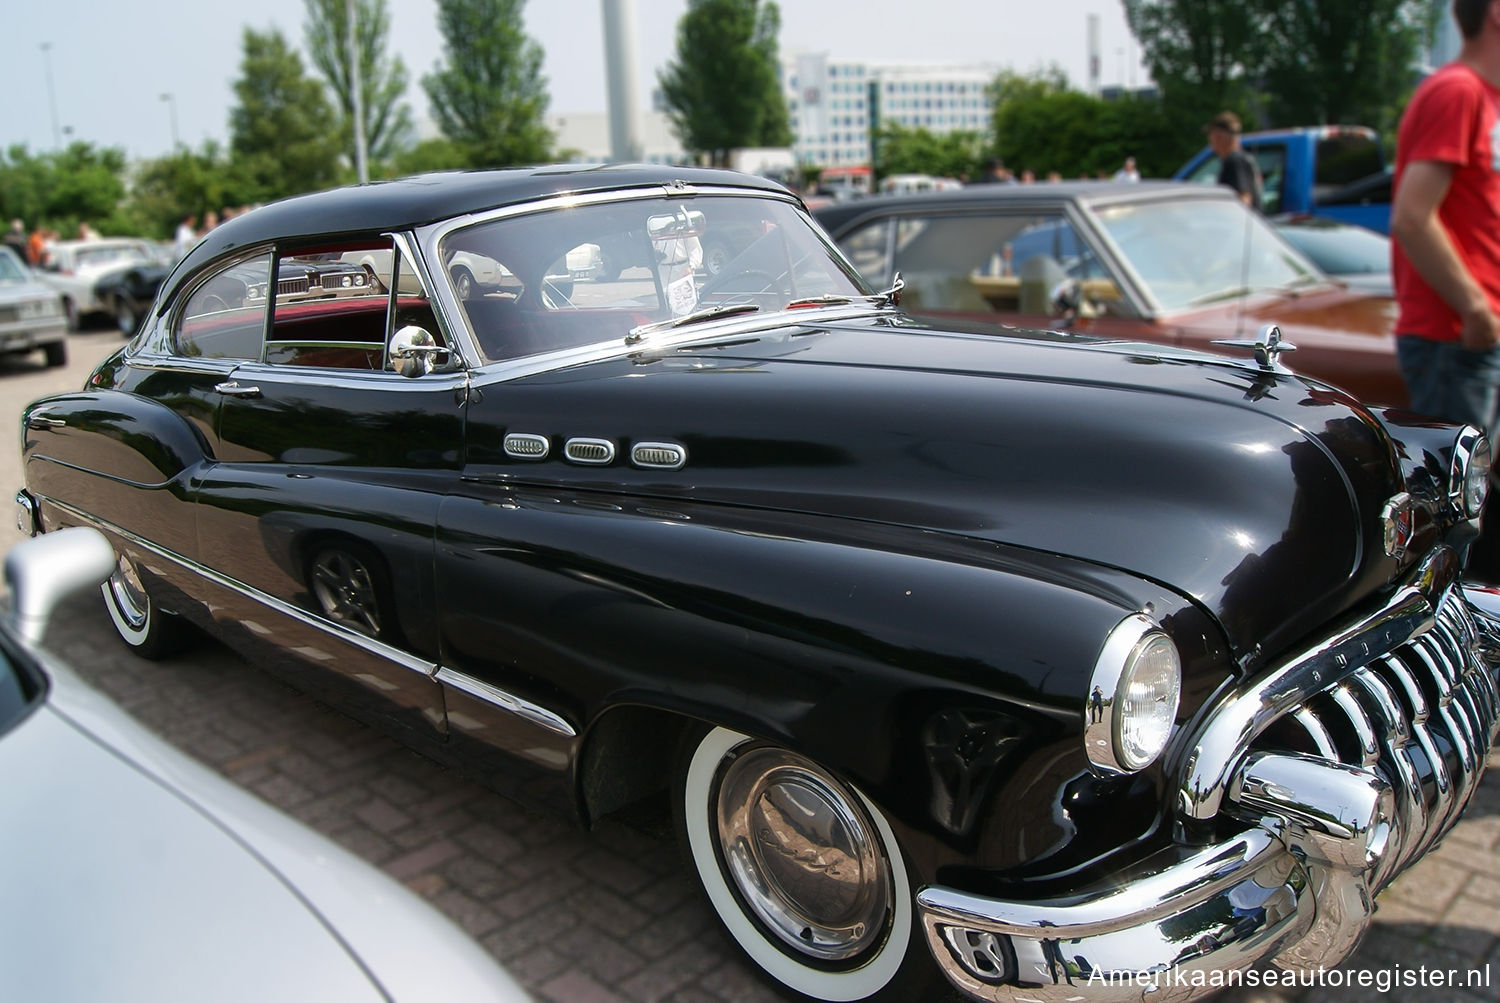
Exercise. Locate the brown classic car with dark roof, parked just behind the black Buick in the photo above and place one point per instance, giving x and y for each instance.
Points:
(1168, 263)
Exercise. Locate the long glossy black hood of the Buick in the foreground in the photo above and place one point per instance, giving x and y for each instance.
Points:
(1247, 491)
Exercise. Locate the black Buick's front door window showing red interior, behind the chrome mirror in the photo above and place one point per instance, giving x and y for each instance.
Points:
(332, 307)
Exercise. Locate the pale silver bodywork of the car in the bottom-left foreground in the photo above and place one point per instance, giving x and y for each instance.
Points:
(137, 876)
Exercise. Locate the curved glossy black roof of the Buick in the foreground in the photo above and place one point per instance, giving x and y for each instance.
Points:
(413, 202)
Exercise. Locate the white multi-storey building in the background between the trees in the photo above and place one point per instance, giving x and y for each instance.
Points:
(836, 107)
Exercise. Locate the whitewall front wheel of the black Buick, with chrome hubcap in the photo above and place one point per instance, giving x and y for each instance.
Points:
(803, 870)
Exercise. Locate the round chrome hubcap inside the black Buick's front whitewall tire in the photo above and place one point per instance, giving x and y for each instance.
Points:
(803, 854)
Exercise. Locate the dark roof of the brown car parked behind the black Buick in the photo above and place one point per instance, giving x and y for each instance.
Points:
(841, 215)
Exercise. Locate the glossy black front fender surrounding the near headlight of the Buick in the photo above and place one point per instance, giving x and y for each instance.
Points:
(944, 675)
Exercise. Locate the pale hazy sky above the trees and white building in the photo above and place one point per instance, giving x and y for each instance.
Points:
(112, 64)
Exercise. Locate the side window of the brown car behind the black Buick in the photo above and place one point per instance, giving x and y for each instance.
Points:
(997, 265)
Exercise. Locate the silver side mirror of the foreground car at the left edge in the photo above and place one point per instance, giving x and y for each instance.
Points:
(46, 570)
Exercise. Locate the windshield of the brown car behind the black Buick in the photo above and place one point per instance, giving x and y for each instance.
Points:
(1196, 253)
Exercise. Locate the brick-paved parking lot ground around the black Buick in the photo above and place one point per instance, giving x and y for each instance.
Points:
(611, 915)
